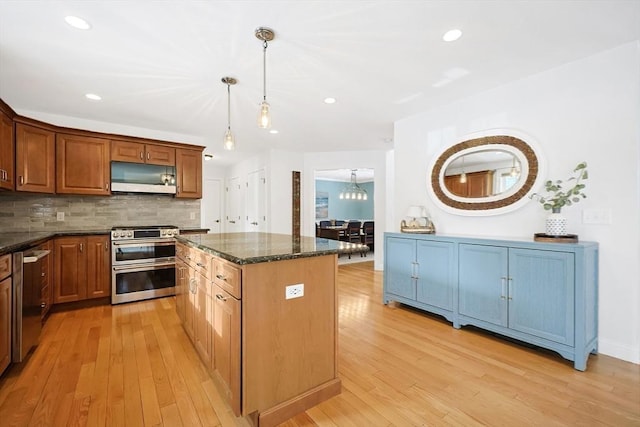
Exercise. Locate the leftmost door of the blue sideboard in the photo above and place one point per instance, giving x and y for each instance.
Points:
(400, 265)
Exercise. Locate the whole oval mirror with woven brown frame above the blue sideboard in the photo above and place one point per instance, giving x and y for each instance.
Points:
(485, 175)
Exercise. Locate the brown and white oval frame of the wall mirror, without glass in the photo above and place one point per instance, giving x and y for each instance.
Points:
(481, 206)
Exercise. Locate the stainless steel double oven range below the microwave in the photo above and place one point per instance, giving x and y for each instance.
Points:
(142, 262)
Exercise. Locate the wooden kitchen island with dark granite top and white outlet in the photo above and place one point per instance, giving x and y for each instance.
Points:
(261, 311)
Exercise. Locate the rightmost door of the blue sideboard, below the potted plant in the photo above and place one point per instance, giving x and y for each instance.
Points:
(541, 294)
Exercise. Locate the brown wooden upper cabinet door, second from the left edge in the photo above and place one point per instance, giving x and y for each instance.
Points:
(35, 159)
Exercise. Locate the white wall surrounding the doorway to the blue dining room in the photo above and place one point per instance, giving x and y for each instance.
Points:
(376, 160)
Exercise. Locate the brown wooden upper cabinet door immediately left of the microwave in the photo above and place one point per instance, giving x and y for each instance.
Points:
(83, 165)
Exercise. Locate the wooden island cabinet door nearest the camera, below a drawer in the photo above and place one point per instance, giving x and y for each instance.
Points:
(226, 345)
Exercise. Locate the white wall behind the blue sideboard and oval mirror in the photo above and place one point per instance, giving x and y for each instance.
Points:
(586, 110)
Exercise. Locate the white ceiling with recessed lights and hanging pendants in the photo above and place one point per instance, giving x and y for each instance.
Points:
(158, 65)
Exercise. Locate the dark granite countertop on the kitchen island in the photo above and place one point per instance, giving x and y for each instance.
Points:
(253, 248)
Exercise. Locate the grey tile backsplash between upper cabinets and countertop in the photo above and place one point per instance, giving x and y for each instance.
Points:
(32, 212)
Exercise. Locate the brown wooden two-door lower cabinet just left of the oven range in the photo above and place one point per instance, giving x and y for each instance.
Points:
(82, 268)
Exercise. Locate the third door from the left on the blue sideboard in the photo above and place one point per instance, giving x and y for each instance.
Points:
(482, 282)
